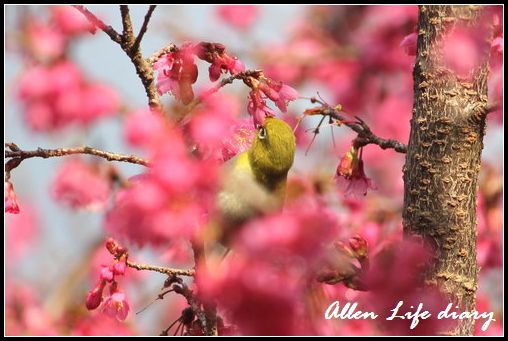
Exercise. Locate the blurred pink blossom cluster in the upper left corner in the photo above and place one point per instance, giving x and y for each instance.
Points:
(53, 91)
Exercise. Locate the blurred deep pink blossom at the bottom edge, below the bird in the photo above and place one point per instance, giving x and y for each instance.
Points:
(259, 298)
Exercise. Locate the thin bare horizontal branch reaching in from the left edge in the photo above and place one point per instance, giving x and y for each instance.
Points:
(17, 155)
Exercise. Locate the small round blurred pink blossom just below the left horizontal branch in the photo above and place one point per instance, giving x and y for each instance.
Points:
(78, 185)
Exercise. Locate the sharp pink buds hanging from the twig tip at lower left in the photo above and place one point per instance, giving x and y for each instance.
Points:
(116, 304)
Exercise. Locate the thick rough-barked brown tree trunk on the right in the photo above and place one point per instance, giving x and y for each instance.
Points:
(443, 158)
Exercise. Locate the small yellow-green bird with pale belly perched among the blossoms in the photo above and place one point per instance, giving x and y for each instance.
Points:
(256, 184)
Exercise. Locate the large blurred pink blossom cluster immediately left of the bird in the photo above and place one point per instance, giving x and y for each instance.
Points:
(170, 201)
